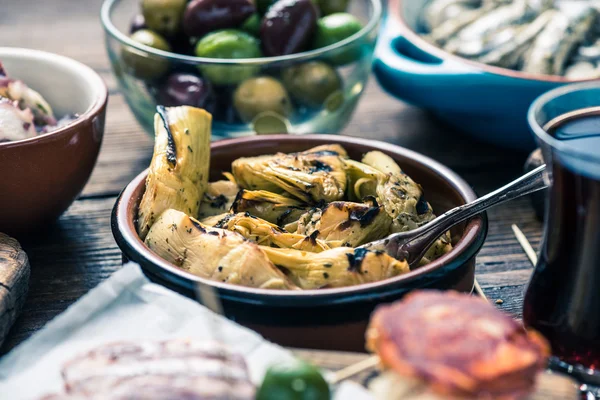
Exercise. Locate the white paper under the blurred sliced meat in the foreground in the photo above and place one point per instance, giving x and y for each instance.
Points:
(129, 307)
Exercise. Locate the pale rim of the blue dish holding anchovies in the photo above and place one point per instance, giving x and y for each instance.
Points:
(395, 10)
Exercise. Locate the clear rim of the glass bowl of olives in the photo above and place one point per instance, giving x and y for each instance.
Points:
(110, 28)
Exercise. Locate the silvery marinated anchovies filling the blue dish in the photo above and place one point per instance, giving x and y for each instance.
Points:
(535, 36)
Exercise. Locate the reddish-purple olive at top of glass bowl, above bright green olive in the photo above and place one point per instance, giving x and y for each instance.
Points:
(203, 16)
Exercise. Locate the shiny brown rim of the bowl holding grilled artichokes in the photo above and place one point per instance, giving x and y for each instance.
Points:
(469, 244)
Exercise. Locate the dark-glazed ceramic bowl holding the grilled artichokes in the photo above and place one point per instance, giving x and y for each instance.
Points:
(325, 318)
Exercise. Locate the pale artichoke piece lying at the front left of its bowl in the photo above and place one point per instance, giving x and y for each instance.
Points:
(211, 253)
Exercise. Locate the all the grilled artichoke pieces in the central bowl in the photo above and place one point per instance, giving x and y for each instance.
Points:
(280, 221)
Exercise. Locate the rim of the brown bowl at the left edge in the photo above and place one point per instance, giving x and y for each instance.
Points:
(94, 108)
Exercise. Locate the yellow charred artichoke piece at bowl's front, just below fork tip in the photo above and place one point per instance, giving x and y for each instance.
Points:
(337, 267)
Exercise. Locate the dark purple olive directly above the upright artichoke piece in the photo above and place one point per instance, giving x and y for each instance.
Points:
(186, 89)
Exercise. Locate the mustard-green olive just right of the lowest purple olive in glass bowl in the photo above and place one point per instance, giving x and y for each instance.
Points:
(257, 95)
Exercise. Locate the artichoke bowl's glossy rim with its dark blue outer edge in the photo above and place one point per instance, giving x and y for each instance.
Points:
(464, 250)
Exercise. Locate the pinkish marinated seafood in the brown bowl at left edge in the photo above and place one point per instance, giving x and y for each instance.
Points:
(24, 113)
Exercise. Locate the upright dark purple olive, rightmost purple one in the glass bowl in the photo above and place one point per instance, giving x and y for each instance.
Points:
(288, 26)
